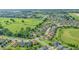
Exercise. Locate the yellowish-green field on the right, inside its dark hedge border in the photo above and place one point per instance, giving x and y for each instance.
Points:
(70, 36)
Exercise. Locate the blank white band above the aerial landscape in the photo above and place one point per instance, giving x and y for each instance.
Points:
(39, 4)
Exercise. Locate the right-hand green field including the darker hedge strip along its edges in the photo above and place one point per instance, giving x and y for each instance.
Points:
(68, 37)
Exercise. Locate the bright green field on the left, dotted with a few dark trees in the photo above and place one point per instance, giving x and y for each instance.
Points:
(18, 24)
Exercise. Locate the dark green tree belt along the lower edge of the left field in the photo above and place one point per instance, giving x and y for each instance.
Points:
(24, 33)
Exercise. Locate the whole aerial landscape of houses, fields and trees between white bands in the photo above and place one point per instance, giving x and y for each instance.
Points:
(35, 29)
